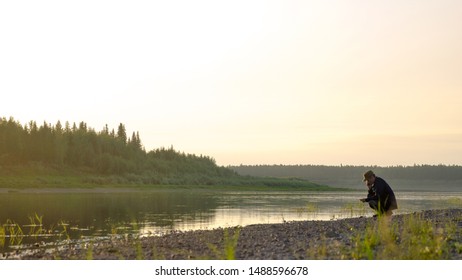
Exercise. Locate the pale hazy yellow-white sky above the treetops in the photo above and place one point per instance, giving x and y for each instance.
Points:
(251, 82)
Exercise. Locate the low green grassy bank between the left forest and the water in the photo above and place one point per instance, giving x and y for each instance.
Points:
(38, 176)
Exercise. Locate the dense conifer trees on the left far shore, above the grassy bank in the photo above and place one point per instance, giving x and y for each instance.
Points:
(105, 152)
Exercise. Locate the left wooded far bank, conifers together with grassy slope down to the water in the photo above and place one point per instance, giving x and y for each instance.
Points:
(109, 156)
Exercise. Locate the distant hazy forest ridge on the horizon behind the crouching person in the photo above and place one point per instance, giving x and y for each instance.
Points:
(416, 177)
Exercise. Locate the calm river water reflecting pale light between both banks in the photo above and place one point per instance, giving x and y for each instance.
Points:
(85, 214)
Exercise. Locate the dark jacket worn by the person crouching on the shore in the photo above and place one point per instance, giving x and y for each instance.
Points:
(383, 194)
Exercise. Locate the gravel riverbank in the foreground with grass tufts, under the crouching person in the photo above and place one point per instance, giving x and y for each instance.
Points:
(432, 234)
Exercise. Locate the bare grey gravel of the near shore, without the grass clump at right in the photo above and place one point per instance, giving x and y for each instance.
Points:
(291, 240)
